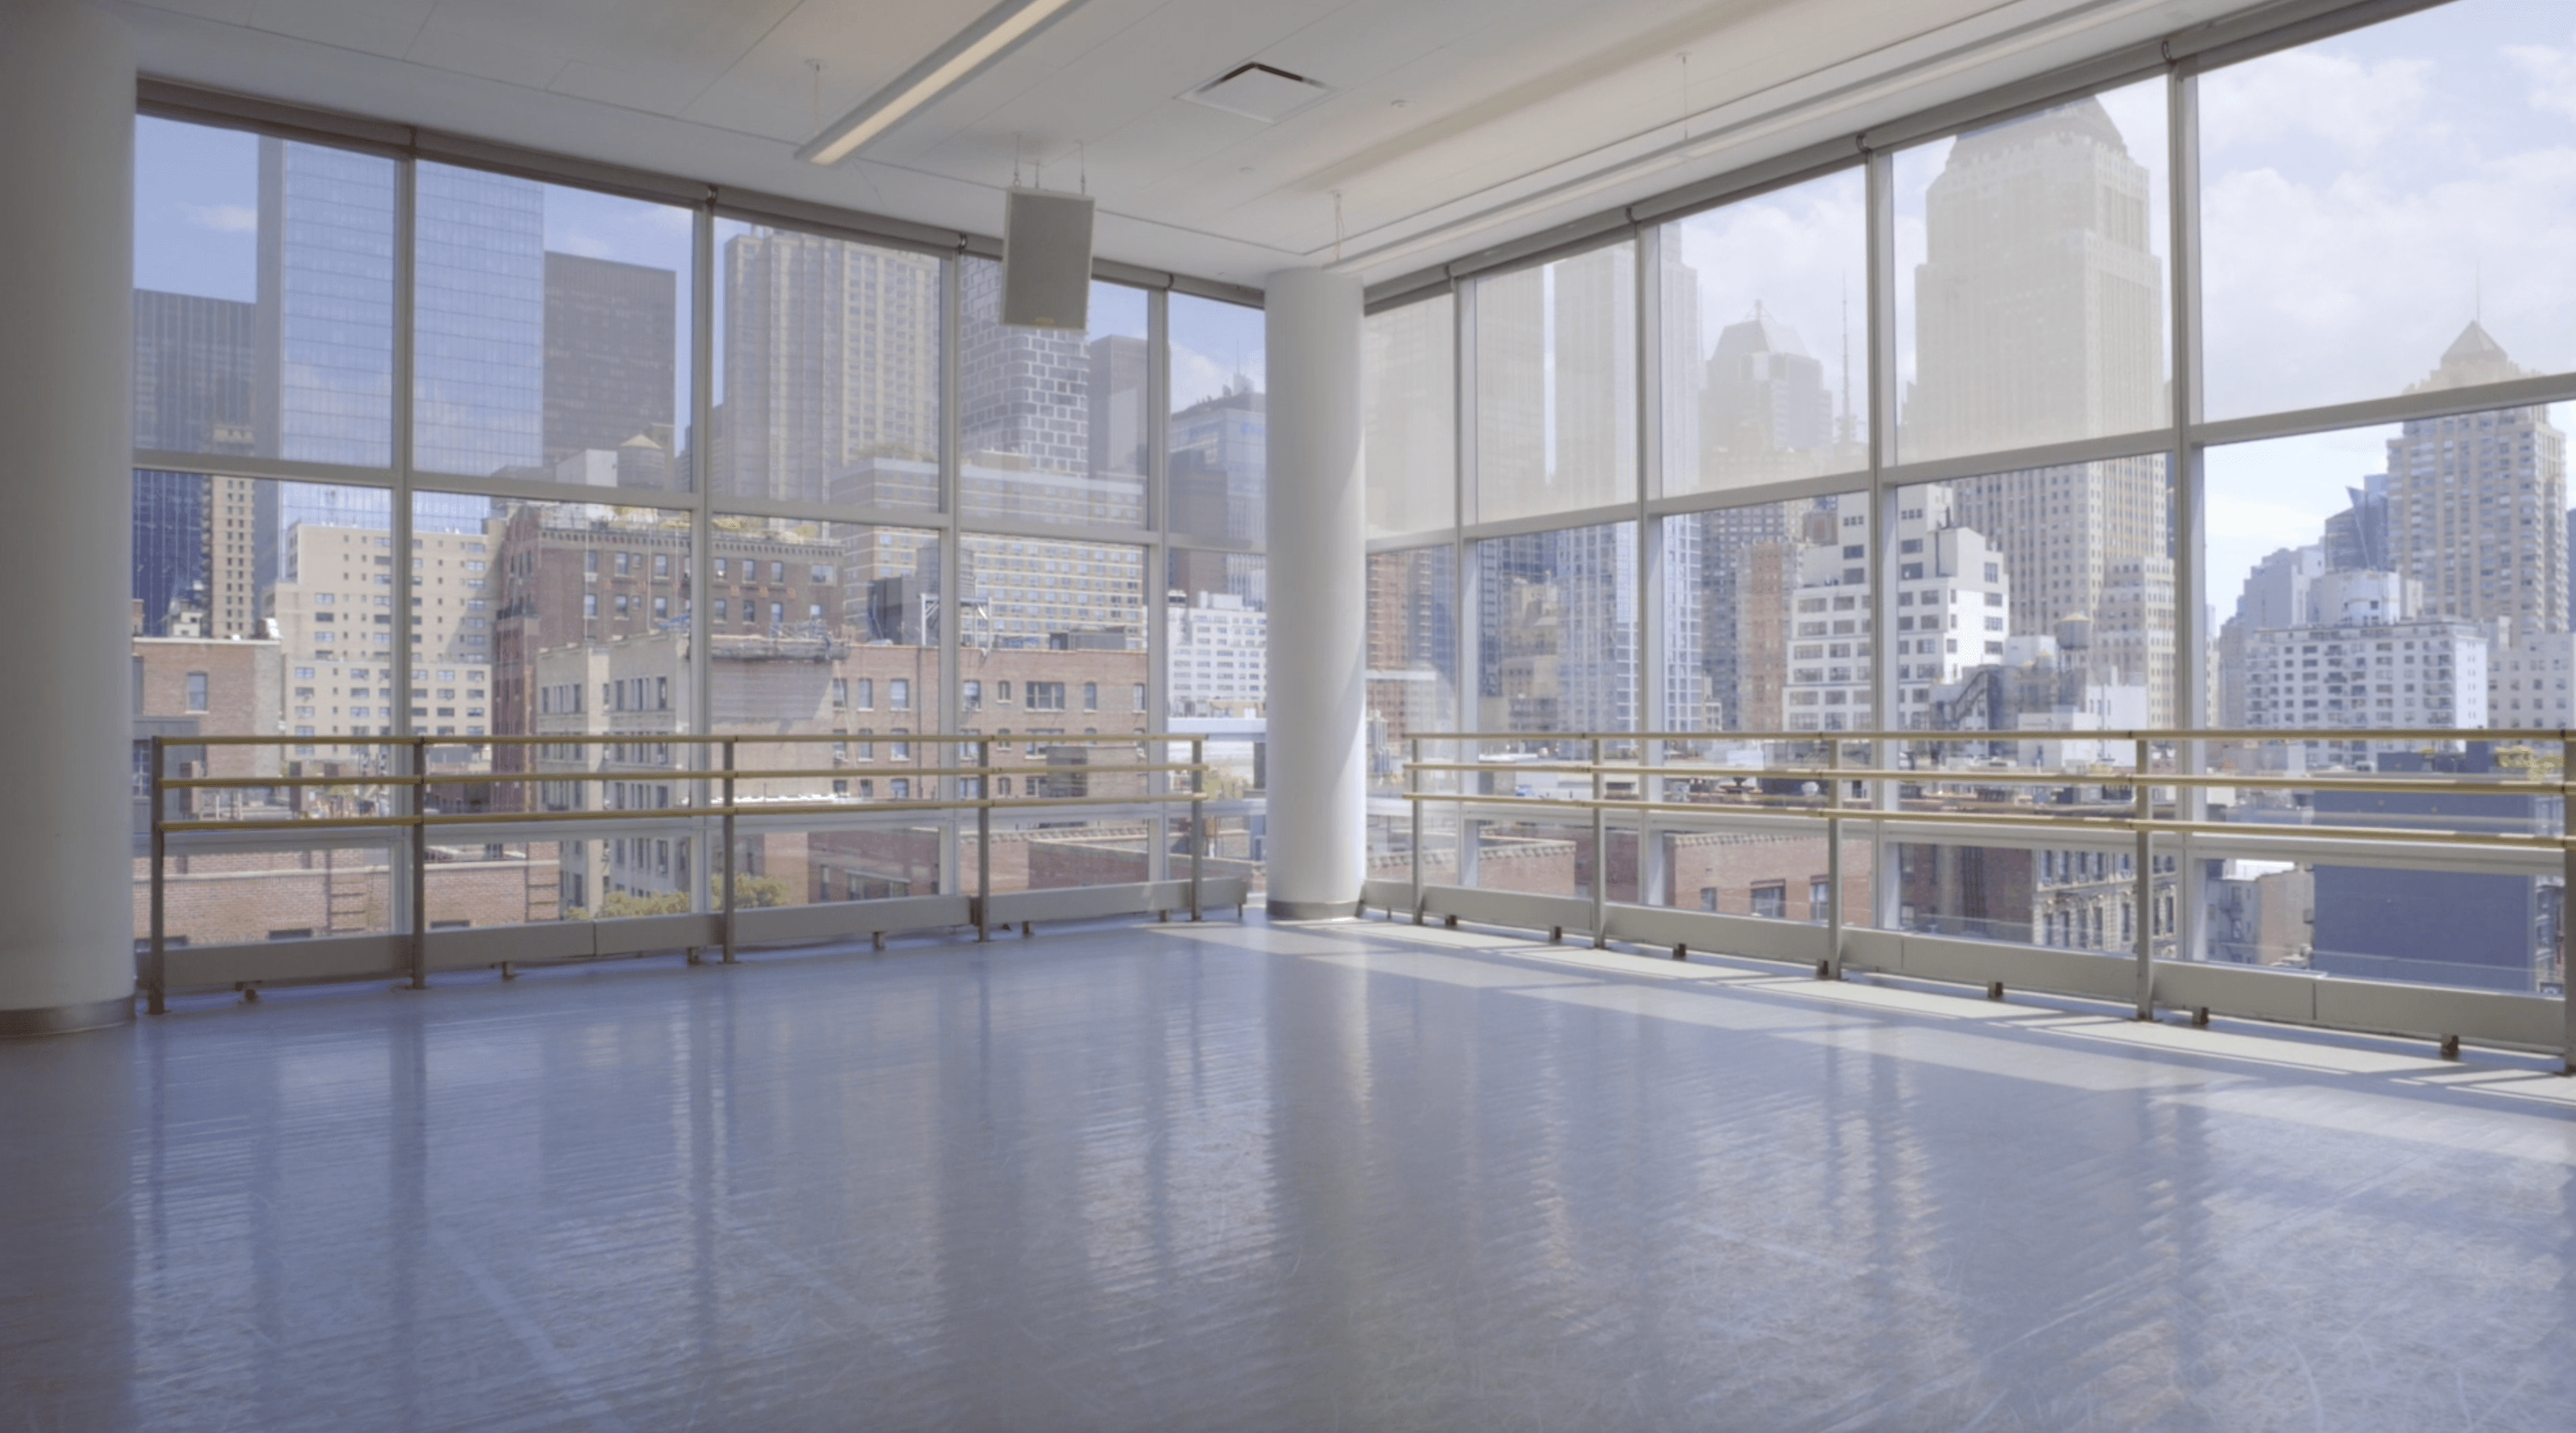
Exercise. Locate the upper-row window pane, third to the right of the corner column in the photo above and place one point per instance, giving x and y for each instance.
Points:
(1763, 331)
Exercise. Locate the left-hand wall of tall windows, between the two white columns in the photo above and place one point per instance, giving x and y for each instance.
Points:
(632, 470)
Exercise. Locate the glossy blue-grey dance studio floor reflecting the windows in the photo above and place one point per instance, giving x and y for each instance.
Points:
(1240, 1177)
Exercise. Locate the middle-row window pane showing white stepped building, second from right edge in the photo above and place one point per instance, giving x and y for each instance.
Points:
(2036, 599)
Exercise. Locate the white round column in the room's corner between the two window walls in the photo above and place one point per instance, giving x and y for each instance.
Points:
(1318, 599)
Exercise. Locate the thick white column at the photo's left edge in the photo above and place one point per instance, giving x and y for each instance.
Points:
(66, 545)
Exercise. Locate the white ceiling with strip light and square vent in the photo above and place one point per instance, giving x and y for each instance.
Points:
(1454, 125)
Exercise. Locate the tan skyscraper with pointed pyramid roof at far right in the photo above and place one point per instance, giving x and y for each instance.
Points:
(2477, 504)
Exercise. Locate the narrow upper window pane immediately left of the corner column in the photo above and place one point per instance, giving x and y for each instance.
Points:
(1220, 421)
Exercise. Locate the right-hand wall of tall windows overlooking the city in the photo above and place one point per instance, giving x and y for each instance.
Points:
(2062, 463)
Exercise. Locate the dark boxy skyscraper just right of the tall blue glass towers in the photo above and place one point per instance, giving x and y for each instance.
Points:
(609, 354)
